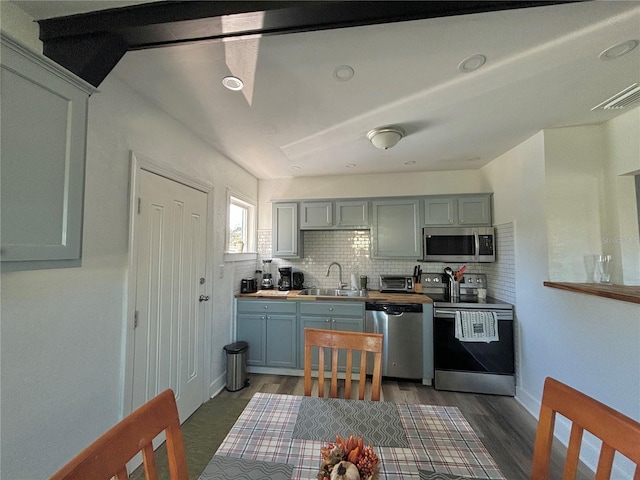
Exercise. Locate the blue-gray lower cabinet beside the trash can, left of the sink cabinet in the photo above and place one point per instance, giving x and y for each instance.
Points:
(270, 329)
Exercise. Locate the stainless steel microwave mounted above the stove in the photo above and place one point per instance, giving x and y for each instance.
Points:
(458, 244)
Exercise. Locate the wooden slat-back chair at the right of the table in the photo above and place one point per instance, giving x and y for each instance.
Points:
(617, 431)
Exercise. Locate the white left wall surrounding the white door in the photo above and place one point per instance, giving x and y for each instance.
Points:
(62, 330)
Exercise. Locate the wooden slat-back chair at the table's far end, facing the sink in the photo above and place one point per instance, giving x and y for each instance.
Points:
(349, 341)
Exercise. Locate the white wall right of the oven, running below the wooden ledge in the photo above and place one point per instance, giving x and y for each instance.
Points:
(589, 342)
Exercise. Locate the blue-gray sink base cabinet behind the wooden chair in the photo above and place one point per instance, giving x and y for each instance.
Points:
(345, 316)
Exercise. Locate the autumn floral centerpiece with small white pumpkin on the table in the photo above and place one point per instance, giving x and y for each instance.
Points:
(348, 460)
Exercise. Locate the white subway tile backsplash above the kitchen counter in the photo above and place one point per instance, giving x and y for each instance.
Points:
(351, 249)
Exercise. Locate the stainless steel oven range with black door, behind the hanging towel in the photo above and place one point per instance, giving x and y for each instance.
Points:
(479, 367)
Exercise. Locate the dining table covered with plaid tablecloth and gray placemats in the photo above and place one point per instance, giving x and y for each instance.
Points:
(279, 437)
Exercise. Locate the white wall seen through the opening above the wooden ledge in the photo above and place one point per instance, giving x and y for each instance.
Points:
(590, 192)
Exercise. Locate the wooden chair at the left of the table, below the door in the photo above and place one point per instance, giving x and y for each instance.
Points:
(108, 456)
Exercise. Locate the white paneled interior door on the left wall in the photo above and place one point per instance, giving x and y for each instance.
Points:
(169, 331)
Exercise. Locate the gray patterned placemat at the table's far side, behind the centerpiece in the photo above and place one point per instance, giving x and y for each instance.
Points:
(377, 422)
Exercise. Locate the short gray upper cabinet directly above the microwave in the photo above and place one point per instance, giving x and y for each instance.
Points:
(458, 210)
